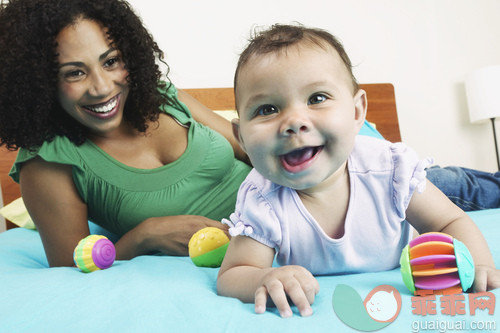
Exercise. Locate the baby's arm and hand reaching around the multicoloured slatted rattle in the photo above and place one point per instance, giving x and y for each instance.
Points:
(431, 210)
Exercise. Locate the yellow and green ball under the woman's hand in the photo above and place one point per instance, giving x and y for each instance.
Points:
(208, 246)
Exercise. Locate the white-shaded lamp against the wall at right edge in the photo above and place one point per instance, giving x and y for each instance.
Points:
(482, 88)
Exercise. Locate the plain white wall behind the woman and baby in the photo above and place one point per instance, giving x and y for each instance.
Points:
(424, 47)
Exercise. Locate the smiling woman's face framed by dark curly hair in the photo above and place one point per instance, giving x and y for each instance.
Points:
(92, 79)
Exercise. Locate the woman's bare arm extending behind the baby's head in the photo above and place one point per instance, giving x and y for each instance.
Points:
(211, 119)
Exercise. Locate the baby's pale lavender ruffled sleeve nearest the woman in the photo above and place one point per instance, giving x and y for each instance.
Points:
(254, 215)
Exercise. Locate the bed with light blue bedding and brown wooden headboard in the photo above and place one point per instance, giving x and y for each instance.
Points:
(170, 294)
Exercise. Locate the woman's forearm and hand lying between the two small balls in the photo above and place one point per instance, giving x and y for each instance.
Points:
(168, 235)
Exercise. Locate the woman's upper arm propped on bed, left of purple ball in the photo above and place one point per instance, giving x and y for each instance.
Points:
(57, 210)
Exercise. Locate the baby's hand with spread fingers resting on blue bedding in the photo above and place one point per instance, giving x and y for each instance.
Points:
(296, 282)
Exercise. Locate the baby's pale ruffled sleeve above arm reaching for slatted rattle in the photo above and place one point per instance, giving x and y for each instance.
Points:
(409, 175)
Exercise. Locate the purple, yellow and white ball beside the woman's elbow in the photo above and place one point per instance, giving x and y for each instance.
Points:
(94, 252)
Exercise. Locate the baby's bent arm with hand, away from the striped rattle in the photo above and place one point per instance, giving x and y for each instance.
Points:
(247, 274)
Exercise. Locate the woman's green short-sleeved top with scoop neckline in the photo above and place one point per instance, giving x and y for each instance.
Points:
(203, 181)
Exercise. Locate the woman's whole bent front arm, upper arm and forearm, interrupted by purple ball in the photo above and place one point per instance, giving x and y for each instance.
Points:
(60, 216)
